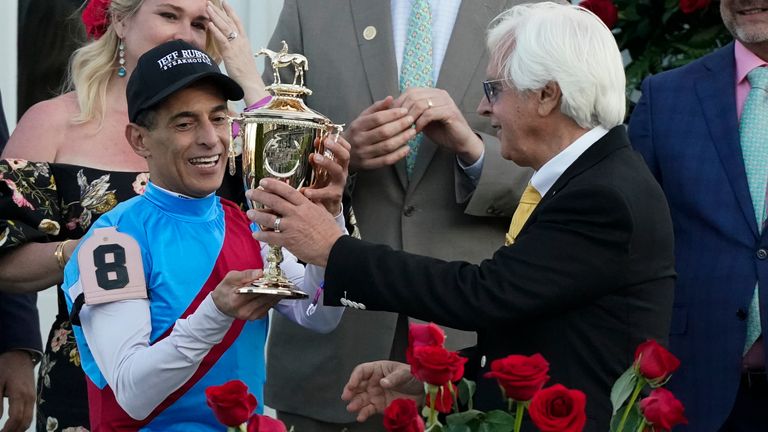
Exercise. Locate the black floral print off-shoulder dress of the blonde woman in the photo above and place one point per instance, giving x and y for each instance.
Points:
(47, 202)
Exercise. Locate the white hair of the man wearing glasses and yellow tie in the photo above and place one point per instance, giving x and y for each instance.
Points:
(534, 44)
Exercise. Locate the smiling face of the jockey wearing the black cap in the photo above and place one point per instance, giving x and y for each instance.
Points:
(185, 147)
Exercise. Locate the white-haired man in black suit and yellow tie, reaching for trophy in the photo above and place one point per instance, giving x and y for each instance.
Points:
(587, 277)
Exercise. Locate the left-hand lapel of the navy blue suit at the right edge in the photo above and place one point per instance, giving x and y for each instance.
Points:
(717, 84)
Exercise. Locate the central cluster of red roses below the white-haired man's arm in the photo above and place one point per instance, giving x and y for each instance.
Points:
(520, 378)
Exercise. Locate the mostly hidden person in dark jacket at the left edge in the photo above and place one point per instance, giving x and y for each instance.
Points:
(20, 344)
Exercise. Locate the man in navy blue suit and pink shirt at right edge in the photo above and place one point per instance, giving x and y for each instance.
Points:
(686, 125)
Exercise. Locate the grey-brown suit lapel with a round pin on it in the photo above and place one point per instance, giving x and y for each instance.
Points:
(378, 54)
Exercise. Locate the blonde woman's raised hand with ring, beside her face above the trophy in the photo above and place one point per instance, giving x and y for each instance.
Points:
(235, 48)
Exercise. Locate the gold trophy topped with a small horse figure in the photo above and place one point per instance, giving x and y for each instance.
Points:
(277, 140)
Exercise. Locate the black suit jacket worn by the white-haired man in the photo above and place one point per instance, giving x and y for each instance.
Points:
(589, 278)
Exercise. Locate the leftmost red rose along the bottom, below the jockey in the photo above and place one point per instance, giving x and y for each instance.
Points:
(231, 403)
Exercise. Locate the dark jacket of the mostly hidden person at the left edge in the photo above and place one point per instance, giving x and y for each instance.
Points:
(19, 322)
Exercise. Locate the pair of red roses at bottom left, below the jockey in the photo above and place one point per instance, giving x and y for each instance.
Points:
(233, 405)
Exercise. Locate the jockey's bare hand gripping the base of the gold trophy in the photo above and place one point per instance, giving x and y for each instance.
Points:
(246, 307)
